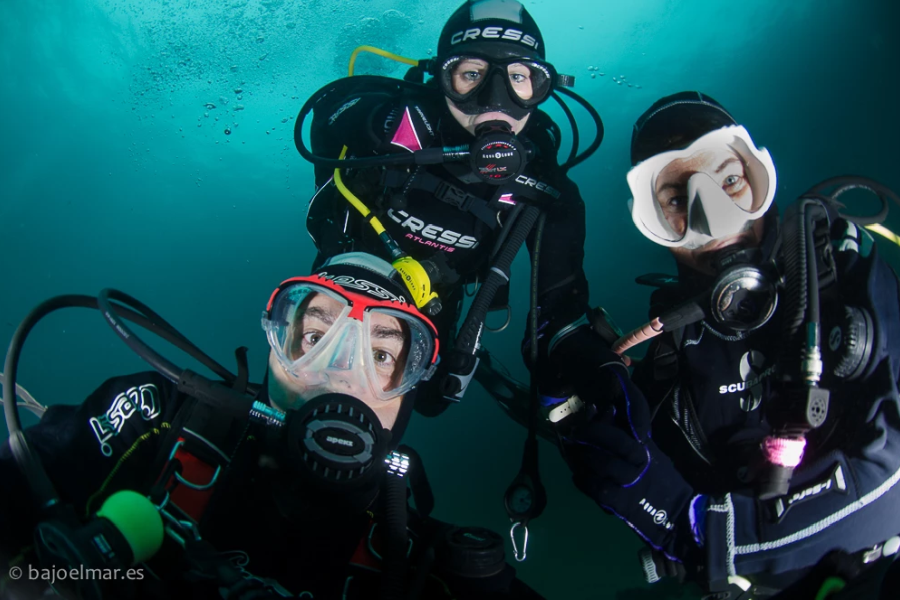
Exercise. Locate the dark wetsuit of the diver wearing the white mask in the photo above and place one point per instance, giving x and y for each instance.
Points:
(712, 395)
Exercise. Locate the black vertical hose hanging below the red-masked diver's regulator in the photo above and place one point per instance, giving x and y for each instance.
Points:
(396, 564)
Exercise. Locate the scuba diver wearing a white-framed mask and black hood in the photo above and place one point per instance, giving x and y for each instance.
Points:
(760, 432)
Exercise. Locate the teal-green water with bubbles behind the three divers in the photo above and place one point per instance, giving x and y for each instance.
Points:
(116, 174)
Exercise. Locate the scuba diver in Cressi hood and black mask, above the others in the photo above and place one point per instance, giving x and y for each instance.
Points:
(446, 178)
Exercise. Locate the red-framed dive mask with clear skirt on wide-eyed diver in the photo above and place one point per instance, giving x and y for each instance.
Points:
(332, 340)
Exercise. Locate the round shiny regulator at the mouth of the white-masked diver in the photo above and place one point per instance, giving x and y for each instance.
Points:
(744, 296)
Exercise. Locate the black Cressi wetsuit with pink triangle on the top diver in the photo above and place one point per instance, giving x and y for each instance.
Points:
(461, 240)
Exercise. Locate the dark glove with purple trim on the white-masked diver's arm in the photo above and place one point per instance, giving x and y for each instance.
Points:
(615, 462)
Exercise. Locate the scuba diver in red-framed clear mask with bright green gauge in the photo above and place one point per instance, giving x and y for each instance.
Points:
(166, 484)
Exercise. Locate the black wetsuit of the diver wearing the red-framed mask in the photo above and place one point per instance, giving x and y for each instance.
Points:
(115, 441)
